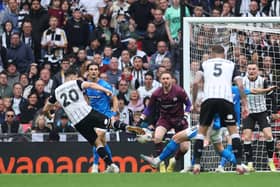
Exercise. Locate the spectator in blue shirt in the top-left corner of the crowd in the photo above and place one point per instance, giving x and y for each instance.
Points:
(11, 14)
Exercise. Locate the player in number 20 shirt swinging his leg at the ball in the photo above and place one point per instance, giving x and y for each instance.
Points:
(70, 97)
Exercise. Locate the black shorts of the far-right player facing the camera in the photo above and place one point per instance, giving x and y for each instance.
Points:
(250, 121)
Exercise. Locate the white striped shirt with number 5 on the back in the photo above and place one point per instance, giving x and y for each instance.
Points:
(218, 75)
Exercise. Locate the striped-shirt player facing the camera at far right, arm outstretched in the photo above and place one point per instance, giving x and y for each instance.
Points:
(257, 114)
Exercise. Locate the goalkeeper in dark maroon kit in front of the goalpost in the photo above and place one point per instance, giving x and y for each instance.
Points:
(170, 98)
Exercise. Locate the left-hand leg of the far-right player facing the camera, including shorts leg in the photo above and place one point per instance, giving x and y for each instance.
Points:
(248, 126)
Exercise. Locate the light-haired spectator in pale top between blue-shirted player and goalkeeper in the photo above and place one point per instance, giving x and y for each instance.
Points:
(135, 103)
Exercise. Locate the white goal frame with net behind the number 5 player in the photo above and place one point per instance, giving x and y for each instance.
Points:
(245, 39)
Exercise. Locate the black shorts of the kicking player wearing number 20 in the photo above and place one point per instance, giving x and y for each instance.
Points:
(93, 120)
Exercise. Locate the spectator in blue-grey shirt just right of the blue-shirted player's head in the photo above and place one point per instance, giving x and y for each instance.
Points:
(113, 73)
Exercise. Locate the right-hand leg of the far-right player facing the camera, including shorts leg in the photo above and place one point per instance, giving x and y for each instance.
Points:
(265, 126)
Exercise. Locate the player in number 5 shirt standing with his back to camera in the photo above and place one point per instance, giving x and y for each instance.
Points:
(217, 74)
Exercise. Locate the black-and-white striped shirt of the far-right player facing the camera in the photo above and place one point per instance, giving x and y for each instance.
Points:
(256, 102)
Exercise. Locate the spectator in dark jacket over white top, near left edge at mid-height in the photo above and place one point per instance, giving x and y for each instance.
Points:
(17, 100)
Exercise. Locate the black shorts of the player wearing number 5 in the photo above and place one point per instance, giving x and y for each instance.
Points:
(222, 107)
